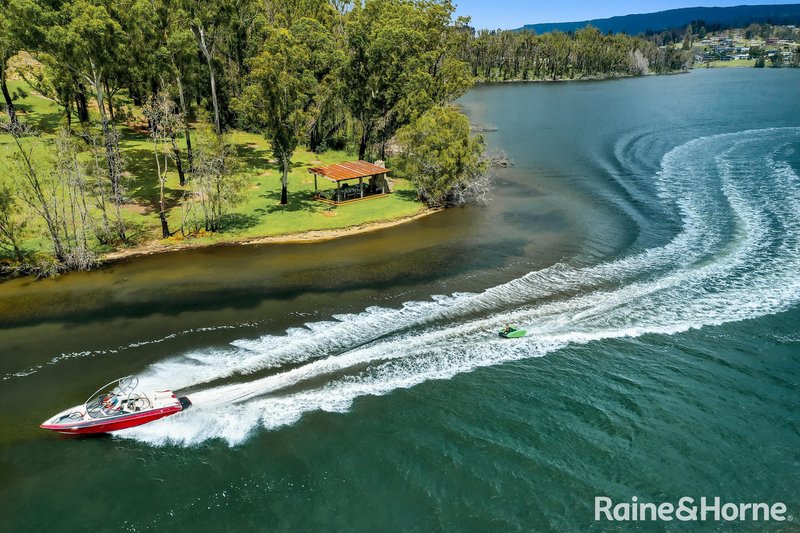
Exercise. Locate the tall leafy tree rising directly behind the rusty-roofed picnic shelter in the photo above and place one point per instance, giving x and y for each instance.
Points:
(397, 49)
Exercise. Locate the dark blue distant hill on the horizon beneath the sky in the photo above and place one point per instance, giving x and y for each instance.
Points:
(737, 16)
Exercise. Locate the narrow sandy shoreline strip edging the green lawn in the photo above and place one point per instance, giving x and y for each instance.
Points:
(307, 237)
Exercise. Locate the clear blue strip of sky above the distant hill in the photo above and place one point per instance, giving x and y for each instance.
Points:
(506, 14)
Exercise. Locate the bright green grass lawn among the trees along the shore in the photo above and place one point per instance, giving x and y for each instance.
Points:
(259, 215)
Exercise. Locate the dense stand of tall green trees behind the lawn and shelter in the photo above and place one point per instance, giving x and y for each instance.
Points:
(354, 73)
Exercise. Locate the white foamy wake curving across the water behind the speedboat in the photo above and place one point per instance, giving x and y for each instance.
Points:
(735, 258)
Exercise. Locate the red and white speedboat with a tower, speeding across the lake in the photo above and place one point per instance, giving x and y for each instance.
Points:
(116, 405)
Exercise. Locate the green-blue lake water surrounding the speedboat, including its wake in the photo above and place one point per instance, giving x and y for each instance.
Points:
(648, 238)
